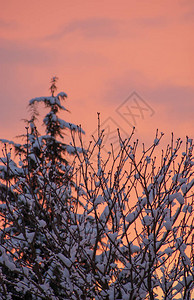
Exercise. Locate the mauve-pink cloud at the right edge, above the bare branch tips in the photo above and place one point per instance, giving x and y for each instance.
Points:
(174, 98)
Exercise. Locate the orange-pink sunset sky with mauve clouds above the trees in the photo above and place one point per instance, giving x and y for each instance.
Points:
(132, 61)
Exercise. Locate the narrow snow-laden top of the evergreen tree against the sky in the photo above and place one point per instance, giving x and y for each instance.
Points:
(54, 148)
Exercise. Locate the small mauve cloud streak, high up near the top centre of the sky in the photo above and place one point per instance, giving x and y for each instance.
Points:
(90, 28)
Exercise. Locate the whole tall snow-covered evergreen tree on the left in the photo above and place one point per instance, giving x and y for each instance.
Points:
(35, 193)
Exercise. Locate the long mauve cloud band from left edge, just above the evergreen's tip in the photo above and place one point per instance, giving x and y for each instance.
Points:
(32, 55)
